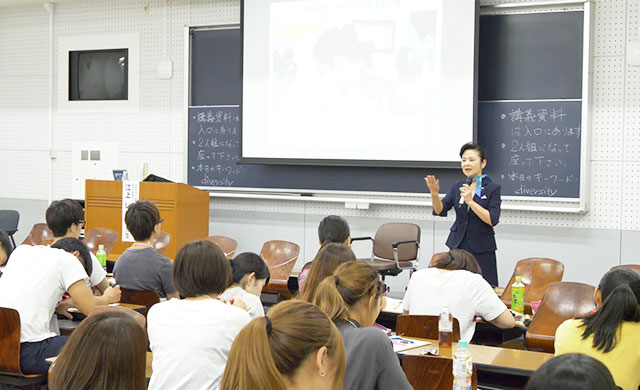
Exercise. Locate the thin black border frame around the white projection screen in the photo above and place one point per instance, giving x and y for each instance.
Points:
(364, 163)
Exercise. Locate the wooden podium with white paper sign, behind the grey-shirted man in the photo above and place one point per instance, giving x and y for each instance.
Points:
(185, 211)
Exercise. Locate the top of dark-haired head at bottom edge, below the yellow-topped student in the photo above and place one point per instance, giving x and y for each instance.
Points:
(573, 371)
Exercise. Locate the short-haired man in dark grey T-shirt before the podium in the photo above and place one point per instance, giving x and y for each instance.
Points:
(140, 267)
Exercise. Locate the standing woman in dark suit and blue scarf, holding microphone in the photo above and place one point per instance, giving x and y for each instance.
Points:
(477, 204)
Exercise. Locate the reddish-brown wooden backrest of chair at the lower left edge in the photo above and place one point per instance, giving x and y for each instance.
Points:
(9, 341)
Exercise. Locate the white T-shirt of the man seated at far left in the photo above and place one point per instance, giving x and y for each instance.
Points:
(33, 283)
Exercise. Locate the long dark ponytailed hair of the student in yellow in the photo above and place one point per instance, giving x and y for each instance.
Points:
(619, 304)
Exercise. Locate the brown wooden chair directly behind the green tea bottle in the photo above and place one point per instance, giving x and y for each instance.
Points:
(537, 274)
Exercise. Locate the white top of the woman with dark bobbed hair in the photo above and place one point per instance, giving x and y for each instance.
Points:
(190, 341)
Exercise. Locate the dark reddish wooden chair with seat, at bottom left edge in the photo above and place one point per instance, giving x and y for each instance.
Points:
(10, 373)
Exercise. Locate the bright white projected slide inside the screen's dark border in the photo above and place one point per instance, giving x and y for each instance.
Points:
(353, 80)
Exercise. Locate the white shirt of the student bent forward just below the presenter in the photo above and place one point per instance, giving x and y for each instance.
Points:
(467, 294)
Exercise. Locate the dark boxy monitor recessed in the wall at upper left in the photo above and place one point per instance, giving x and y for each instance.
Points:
(99, 74)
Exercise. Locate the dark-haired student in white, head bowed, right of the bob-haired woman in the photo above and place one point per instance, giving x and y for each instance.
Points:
(250, 275)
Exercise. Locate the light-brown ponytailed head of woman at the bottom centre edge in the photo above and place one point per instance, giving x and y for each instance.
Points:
(295, 348)
